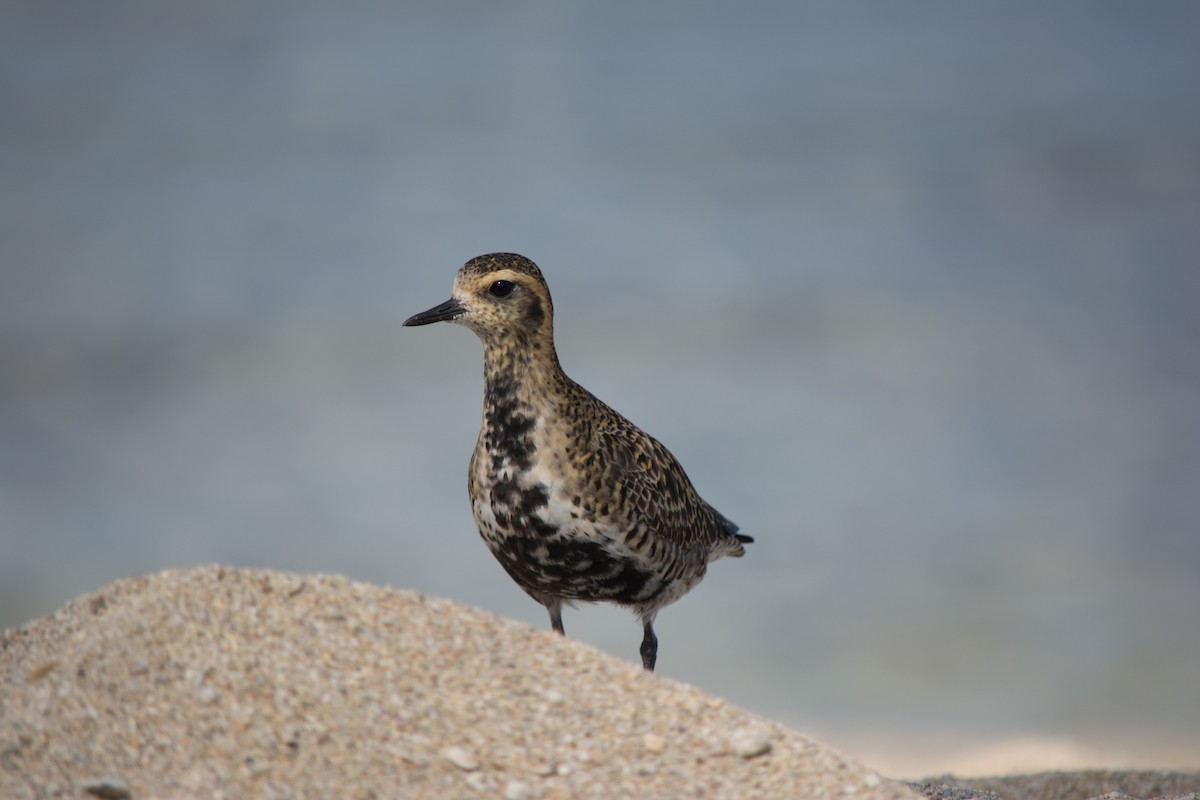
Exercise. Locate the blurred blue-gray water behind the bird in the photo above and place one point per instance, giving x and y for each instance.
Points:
(910, 290)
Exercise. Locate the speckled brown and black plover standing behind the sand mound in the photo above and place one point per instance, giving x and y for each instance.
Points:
(574, 501)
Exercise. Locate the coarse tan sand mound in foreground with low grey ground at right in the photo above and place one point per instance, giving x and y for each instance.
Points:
(218, 683)
